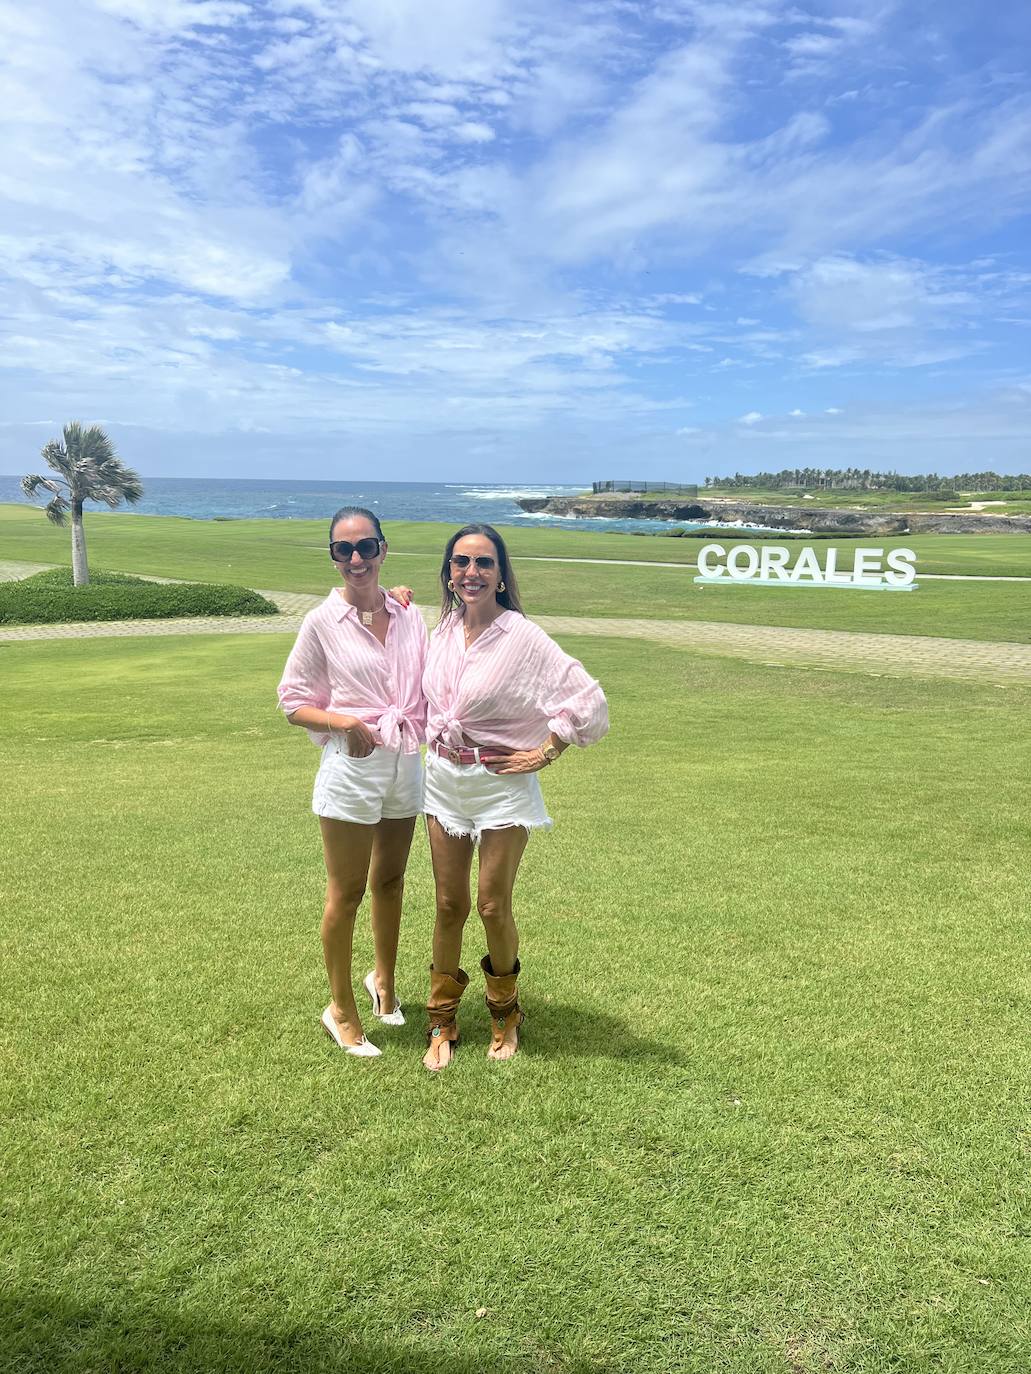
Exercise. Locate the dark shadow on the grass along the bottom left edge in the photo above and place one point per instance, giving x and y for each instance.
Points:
(54, 1335)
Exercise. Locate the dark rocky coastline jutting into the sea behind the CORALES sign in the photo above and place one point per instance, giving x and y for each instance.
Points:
(819, 521)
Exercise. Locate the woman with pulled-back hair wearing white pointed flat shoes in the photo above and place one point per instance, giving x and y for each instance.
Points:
(354, 681)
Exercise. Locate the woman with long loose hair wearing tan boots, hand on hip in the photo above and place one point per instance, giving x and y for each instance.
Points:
(504, 701)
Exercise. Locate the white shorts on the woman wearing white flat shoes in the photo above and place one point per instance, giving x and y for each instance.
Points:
(386, 785)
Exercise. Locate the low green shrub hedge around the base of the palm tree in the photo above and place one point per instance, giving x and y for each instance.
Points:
(50, 598)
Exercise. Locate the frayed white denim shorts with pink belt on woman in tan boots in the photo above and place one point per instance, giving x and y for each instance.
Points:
(468, 799)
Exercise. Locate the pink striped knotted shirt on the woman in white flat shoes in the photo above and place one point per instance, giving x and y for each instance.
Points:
(339, 666)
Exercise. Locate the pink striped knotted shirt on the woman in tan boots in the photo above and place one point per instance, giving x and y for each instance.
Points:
(511, 688)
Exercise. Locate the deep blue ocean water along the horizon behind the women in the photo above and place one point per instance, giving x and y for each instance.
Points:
(450, 504)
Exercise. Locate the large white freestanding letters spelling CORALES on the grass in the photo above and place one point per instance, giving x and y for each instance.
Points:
(776, 565)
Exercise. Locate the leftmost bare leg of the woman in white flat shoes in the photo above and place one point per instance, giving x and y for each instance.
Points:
(347, 850)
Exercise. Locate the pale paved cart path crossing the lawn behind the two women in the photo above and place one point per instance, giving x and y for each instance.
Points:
(775, 645)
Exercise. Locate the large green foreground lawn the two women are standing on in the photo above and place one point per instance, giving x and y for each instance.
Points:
(771, 1115)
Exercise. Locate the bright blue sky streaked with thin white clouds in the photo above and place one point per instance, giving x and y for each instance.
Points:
(485, 241)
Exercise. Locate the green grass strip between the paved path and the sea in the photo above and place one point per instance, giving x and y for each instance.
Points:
(289, 556)
